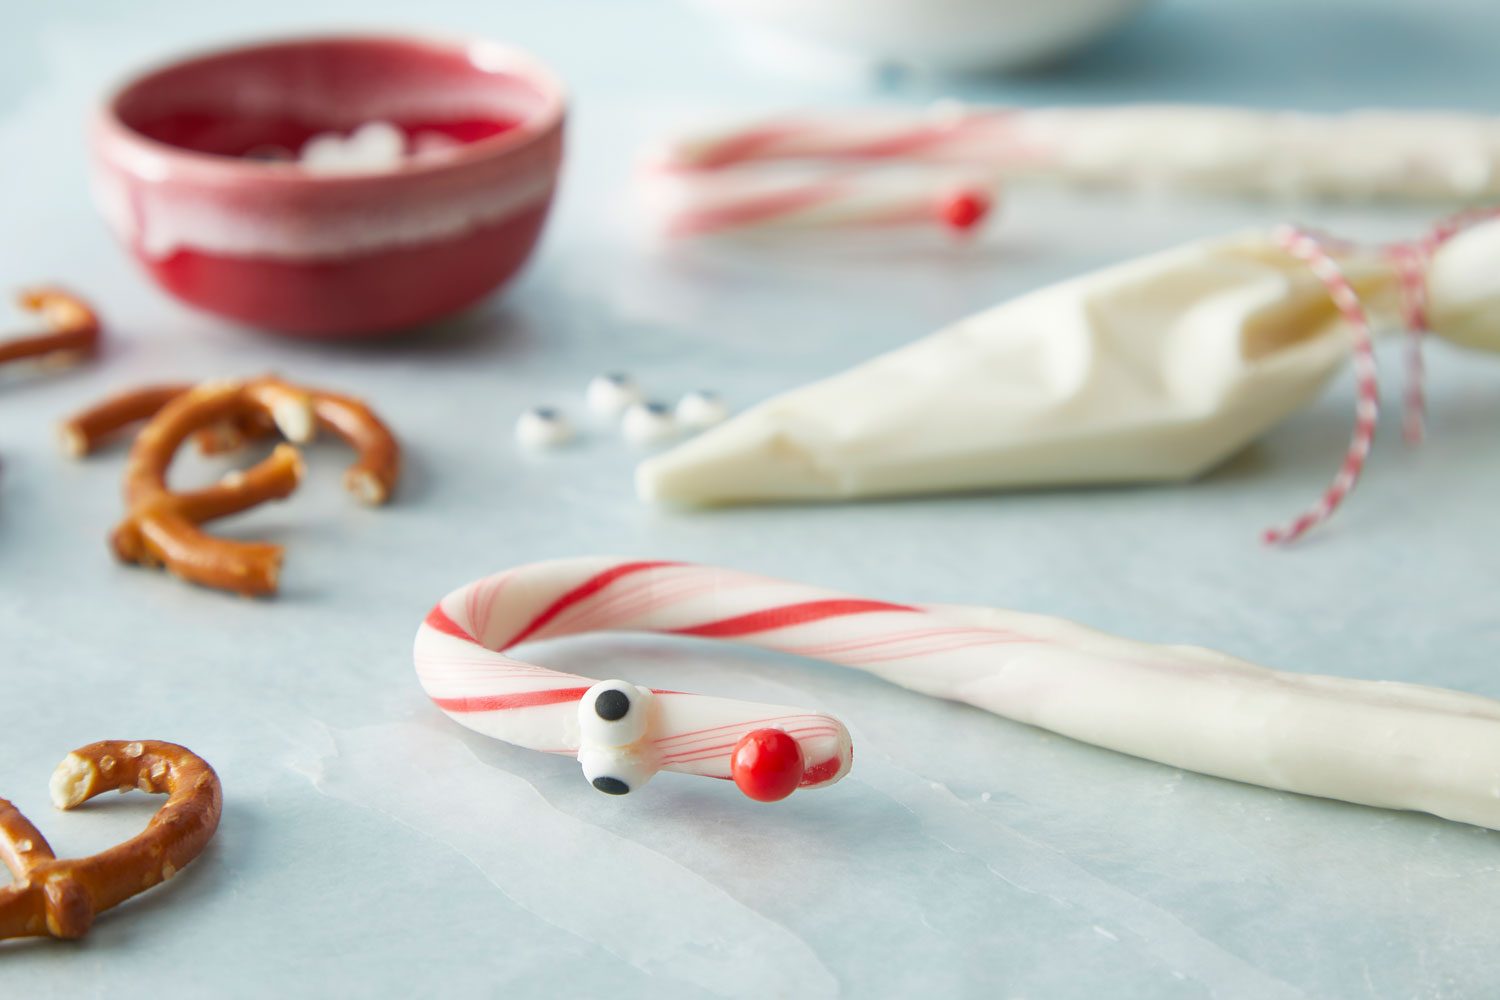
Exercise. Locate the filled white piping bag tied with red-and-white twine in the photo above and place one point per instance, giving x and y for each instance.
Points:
(1156, 370)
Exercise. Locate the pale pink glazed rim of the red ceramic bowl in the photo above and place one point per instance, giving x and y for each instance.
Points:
(157, 158)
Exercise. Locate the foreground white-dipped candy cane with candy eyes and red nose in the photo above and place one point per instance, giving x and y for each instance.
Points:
(1373, 743)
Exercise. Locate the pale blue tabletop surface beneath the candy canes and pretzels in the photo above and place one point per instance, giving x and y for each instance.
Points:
(373, 849)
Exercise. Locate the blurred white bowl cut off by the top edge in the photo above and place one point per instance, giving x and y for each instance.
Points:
(943, 35)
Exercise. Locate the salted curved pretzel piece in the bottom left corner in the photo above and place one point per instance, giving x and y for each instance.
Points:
(61, 897)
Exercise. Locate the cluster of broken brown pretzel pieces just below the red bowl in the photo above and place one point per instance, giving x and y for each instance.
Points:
(163, 527)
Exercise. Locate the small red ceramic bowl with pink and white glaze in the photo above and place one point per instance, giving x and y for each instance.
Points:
(343, 254)
